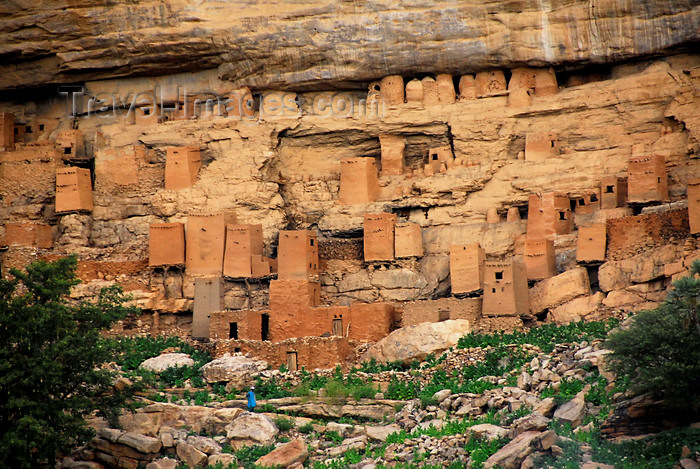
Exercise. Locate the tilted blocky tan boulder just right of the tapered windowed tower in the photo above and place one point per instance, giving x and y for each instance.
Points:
(559, 289)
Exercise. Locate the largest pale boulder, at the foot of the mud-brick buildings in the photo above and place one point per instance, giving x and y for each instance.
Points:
(419, 341)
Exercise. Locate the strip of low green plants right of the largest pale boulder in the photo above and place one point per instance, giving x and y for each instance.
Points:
(544, 337)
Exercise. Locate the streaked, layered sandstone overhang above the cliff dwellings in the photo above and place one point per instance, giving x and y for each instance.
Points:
(321, 44)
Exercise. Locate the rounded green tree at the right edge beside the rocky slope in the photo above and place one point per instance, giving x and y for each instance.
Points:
(659, 352)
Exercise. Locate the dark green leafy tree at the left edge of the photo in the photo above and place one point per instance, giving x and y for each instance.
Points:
(50, 353)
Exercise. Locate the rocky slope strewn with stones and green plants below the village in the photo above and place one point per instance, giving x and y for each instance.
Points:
(521, 403)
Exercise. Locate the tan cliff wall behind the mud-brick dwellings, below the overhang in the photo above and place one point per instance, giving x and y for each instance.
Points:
(283, 172)
